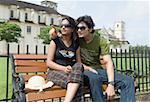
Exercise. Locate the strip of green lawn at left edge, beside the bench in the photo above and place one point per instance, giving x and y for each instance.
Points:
(3, 68)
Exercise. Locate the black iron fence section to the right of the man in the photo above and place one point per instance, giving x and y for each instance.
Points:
(136, 63)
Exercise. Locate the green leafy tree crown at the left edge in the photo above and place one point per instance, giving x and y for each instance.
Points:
(10, 32)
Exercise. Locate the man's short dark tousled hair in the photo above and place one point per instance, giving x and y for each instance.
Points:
(87, 20)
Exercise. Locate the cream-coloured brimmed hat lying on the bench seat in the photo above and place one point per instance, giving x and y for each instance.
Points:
(38, 83)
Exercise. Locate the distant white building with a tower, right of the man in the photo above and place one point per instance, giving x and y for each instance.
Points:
(116, 34)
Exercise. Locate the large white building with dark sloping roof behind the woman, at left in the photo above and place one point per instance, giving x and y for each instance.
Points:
(31, 18)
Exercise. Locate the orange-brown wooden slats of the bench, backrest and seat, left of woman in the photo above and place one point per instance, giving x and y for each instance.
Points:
(28, 66)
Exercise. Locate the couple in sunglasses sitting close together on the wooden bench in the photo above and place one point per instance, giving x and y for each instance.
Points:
(71, 58)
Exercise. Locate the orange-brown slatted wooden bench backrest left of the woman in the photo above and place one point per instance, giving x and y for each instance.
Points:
(29, 65)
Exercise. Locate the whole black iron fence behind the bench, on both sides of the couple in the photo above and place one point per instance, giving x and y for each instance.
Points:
(135, 62)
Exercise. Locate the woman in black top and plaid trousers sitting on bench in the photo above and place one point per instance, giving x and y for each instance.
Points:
(64, 62)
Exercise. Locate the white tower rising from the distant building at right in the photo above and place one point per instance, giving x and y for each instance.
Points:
(119, 30)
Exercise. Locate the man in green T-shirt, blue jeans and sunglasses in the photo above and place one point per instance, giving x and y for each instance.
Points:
(92, 48)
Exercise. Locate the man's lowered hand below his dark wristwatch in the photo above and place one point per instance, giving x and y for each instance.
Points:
(110, 91)
